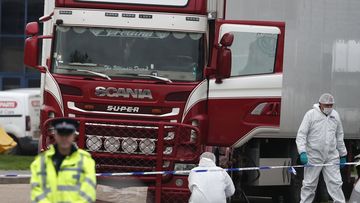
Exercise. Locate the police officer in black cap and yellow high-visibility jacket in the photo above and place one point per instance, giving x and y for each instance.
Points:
(63, 173)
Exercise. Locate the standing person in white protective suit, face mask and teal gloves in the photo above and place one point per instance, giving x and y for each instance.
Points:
(320, 140)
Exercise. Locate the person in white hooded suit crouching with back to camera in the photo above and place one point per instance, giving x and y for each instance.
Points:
(209, 187)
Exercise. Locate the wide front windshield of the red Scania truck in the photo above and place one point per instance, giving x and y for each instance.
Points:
(177, 56)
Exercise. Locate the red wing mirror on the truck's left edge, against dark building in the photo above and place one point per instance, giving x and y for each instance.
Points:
(31, 48)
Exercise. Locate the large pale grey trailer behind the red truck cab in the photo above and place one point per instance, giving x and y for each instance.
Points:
(322, 54)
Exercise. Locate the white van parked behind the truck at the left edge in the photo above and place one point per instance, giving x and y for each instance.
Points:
(20, 117)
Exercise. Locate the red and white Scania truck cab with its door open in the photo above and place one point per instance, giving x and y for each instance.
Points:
(153, 82)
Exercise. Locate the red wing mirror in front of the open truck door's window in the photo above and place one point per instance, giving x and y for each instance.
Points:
(223, 65)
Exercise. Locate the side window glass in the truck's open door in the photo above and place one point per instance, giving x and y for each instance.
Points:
(253, 53)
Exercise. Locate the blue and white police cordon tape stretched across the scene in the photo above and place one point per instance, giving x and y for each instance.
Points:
(291, 169)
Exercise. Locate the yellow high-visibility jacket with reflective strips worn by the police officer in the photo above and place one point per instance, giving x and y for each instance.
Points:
(74, 182)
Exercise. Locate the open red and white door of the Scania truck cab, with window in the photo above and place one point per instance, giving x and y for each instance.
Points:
(248, 102)
